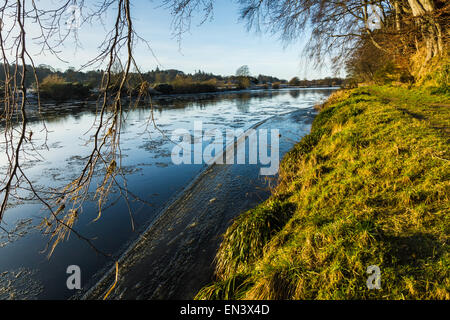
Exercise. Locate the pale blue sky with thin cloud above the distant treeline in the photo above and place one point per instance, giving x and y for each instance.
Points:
(219, 46)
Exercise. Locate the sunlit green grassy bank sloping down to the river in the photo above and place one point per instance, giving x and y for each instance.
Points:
(368, 186)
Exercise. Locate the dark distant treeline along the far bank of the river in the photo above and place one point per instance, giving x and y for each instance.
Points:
(73, 84)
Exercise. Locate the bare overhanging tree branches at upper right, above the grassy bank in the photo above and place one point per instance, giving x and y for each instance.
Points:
(335, 27)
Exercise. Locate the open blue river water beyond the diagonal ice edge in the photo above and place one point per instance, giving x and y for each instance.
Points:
(25, 270)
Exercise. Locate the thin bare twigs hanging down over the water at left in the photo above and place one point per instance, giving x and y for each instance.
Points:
(64, 204)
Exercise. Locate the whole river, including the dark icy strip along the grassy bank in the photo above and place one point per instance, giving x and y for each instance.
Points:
(171, 193)
